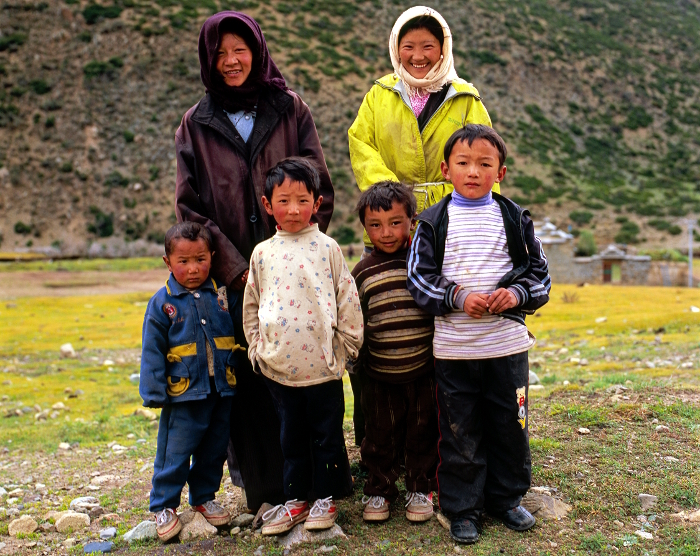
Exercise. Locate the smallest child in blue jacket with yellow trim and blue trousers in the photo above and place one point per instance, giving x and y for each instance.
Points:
(188, 368)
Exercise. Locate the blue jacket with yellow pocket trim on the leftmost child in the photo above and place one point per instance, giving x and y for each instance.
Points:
(177, 325)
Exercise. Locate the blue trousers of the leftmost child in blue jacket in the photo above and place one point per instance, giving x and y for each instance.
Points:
(198, 430)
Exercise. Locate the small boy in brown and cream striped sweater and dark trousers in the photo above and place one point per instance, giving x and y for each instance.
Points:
(395, 363)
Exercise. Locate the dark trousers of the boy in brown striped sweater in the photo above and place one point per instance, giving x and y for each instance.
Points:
(401, 424)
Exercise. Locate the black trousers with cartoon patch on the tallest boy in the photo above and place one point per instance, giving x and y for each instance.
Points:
(484, 446)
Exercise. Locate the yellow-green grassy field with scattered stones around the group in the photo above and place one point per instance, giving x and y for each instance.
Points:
(592, 342)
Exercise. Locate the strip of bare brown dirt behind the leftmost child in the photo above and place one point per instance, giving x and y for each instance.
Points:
(64, 283)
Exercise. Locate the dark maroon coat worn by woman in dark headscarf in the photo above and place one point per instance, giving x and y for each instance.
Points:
(221, 178)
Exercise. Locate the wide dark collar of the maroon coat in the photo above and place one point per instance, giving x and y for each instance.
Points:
(272, 105)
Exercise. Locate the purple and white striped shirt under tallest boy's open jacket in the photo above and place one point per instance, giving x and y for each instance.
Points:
(476, 258)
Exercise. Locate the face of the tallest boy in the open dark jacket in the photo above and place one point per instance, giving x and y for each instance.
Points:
(473, 170)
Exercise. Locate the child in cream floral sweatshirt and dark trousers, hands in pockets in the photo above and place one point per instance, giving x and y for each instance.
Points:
(303, 321)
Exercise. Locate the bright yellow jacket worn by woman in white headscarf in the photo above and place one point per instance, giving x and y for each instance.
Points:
(386, 144)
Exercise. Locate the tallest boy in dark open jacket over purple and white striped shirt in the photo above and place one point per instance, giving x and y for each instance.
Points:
(476, 264)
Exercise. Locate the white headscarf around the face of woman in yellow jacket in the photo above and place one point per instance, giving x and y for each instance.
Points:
(442, 73)
